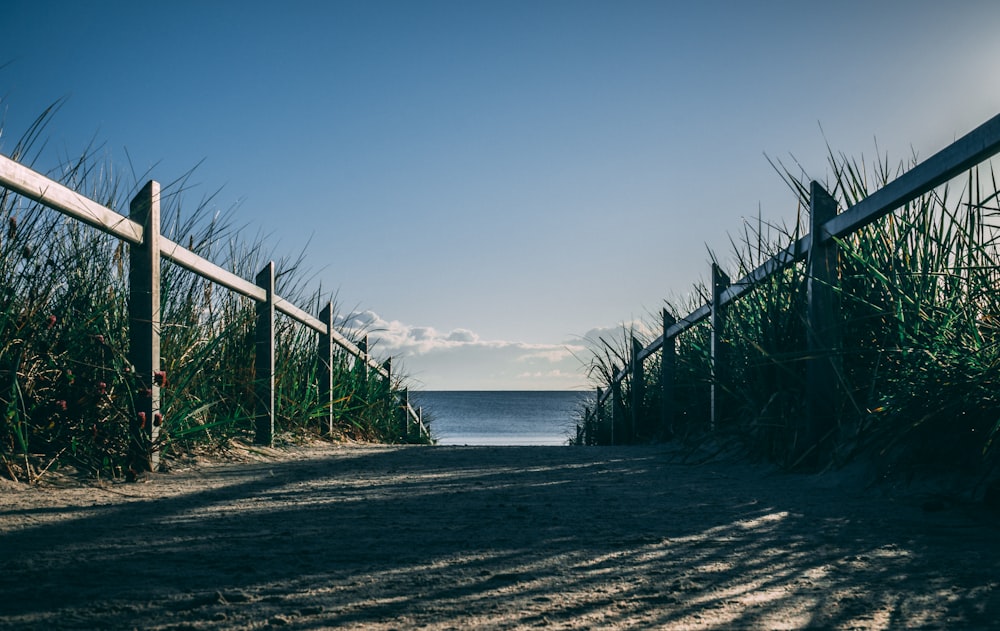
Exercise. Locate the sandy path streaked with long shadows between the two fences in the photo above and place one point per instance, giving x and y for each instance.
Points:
(491, 537)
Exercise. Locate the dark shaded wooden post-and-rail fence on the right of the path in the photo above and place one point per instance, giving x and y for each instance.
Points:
(826, 226)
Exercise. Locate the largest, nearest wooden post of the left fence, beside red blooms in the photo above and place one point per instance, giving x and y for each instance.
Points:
(144, 331)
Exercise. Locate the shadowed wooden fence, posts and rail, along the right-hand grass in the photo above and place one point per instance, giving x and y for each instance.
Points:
(819, 250)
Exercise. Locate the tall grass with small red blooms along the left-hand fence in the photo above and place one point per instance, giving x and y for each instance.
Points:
(66, 389)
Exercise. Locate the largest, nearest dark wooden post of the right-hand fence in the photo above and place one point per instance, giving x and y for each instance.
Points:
(822, 328)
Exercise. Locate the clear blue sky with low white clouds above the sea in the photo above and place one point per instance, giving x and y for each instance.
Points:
(486, 185)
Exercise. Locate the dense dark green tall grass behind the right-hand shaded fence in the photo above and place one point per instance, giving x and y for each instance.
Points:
(919, 367)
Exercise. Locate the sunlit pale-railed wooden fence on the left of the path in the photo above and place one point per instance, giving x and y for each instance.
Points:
(141, 230)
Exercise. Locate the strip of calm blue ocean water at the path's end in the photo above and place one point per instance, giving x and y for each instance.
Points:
(501, 418)
